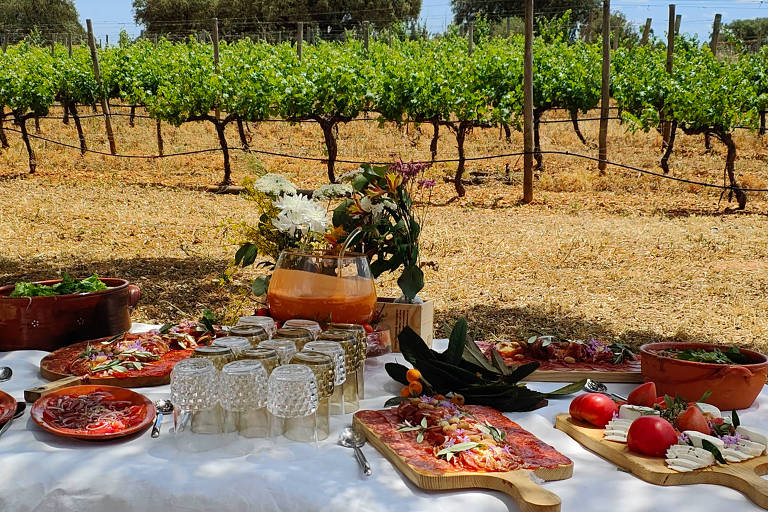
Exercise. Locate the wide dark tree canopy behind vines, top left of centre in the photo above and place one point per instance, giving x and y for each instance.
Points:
(252, 17)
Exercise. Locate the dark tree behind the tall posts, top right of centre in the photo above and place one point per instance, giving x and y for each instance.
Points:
(465, 10)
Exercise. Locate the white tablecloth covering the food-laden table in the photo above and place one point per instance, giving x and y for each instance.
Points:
(42, 472)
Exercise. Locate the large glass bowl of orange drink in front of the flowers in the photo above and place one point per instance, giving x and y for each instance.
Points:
(322, 287)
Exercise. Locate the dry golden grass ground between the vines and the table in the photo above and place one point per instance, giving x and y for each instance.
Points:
(625, 256)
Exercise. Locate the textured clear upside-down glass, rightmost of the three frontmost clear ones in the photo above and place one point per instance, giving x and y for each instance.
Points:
(292, 394)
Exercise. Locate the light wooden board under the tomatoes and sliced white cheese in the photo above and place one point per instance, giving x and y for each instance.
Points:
(742, 476)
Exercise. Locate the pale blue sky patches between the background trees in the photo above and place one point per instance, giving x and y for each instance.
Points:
(109, 17)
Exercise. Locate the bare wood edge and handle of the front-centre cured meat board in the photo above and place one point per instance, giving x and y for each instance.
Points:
(528, 495)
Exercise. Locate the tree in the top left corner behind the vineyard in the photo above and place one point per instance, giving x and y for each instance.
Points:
(46, 17)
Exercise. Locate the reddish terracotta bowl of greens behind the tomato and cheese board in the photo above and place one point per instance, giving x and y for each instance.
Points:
(733, 386)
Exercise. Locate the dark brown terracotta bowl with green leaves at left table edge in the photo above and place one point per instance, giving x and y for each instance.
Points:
(47, 323)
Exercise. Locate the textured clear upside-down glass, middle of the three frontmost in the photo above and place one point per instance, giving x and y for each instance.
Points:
(244, 393)
